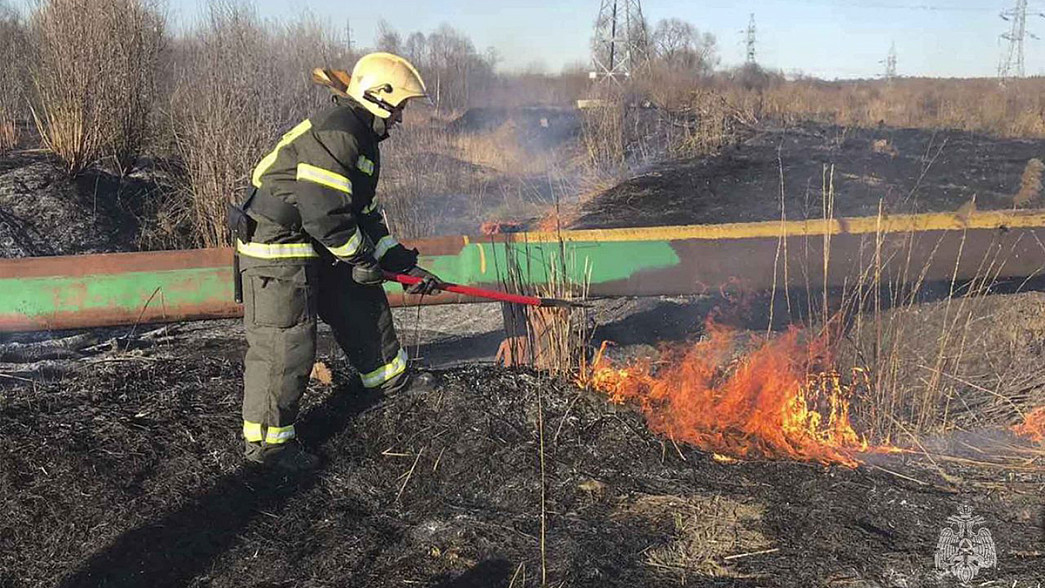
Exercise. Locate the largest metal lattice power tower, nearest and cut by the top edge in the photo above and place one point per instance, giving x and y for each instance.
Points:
(620, 43)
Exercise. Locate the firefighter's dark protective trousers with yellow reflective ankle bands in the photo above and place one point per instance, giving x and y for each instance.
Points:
(282, 304)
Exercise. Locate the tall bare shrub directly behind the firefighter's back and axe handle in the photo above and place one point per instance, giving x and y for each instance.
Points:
(239, 85)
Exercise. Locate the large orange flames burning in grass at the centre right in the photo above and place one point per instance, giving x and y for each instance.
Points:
(776, 403)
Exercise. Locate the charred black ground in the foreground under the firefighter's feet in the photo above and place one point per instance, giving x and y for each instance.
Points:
(129, 474)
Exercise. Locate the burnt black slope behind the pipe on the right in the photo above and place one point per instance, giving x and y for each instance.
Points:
(917, 171)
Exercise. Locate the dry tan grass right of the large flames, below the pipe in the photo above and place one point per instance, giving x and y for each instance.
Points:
(919, 367)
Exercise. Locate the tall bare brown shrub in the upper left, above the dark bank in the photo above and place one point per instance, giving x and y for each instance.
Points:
(95, 79)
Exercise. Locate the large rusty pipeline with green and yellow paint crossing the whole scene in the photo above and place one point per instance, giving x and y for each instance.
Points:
(91, 291)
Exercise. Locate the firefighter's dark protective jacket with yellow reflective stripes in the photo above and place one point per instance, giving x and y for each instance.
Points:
(328, 169)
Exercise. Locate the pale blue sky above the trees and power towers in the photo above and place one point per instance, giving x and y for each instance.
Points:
(825, 38)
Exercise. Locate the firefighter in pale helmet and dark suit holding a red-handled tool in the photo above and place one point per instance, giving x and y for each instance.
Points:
(312, 245)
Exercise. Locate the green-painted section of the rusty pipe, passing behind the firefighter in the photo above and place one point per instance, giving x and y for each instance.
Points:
(111, 296)
